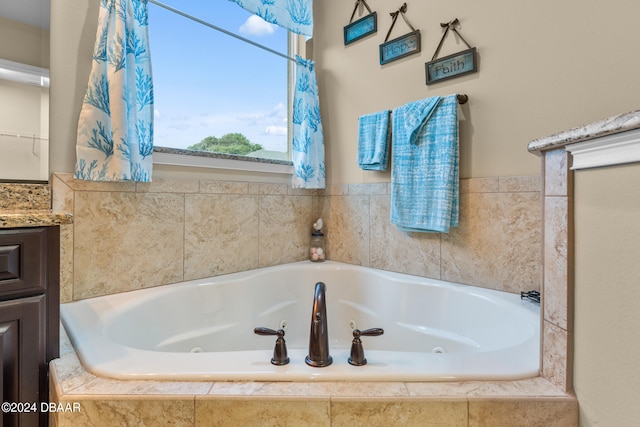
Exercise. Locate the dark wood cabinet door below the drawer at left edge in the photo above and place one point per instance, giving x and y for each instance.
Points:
(22, 356)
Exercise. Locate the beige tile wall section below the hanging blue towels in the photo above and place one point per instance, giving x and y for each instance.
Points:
(497, 244)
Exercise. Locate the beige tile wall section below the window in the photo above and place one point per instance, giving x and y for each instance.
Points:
(128, 236)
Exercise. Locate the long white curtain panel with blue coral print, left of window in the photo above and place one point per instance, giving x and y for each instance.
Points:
(115, 129)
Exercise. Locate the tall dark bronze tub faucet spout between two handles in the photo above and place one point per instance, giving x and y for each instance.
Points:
(319, 334)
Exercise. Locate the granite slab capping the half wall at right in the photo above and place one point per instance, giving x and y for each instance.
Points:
(615, 124)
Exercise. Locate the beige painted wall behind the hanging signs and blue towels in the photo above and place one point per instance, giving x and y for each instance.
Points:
(544, 67)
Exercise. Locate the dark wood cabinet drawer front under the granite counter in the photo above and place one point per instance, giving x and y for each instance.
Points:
(22, 261)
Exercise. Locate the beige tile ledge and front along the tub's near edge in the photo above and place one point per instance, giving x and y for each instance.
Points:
(530, 402)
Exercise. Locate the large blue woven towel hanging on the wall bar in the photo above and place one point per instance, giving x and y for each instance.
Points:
(424, 165)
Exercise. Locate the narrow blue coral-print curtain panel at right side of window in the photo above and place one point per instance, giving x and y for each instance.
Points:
(308, 142)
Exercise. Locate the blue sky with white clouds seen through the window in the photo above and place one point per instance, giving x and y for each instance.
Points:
(207, 83)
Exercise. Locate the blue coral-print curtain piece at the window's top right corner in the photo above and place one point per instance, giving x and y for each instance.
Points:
(294, 15)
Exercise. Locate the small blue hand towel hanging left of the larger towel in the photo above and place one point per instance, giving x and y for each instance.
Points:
(373, 141)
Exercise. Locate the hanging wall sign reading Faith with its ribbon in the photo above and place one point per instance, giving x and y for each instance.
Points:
(455, 65)
